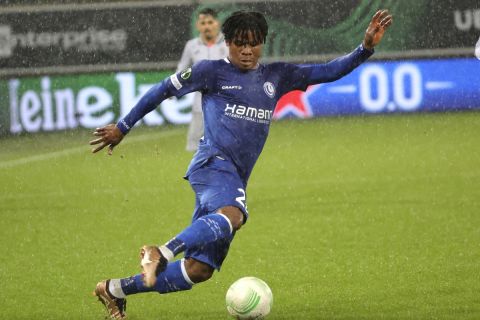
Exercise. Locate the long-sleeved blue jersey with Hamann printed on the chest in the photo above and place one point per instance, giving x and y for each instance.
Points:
(238, 105)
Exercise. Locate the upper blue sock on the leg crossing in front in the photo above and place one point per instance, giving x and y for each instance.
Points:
(206, 229)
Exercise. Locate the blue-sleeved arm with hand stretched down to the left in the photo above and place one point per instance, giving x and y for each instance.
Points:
(192, 79)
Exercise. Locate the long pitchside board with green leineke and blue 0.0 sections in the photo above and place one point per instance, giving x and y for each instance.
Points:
(51, 103)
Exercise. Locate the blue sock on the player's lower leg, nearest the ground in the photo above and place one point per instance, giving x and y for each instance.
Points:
(174, 278)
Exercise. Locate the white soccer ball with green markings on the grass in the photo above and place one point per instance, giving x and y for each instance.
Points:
(249, 298)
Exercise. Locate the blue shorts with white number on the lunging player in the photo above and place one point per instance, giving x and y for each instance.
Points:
(216, 184)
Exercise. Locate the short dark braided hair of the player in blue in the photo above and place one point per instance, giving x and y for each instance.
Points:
(240, 23)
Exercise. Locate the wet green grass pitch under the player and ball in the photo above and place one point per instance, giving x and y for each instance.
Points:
(350, 218)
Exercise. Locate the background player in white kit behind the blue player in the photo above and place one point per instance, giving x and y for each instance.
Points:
(209, 45)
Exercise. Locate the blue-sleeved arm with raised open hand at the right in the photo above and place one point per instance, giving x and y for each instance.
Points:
(342, 66)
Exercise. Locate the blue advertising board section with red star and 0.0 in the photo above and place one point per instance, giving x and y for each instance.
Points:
(391, 86)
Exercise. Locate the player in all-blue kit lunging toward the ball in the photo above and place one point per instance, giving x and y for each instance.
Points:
(239, 96)
